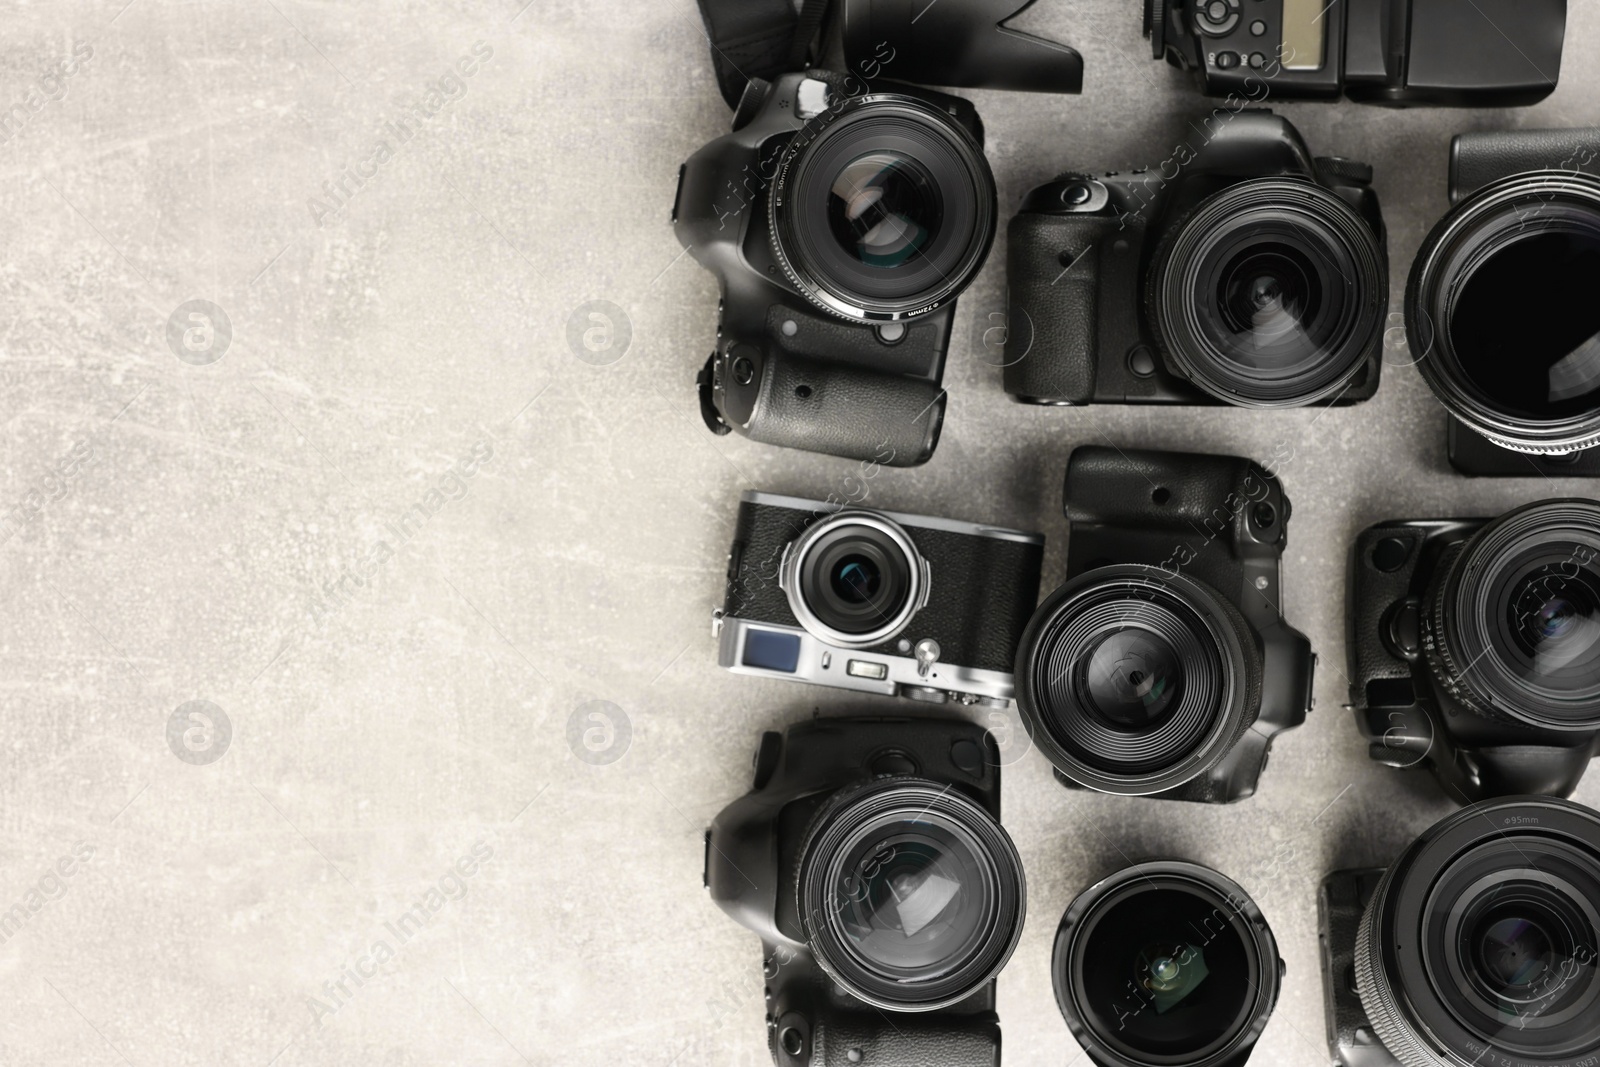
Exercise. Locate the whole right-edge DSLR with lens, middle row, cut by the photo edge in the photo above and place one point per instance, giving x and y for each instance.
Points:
(1476, 649)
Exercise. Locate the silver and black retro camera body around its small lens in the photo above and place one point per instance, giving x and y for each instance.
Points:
(970, 593)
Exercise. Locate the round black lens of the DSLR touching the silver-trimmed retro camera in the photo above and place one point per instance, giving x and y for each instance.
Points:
(1135, 681)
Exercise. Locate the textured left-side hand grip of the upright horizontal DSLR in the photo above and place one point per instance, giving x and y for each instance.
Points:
(1052, 324)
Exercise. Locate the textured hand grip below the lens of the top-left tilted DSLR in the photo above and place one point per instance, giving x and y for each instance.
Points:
(847, 412)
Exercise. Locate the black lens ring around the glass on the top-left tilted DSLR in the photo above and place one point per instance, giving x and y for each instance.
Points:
(922, 143)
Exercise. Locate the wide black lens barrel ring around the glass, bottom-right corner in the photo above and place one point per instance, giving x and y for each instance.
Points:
(1402, 993)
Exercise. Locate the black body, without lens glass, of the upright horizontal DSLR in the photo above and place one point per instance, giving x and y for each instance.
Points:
(1082, 260)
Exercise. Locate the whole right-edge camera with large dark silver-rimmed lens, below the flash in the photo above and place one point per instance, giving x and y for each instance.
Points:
(1522, 390)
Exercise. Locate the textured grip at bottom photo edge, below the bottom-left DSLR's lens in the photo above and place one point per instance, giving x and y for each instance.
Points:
(932, 1044)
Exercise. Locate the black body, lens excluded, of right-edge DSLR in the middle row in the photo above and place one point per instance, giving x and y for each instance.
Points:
(1406, 713)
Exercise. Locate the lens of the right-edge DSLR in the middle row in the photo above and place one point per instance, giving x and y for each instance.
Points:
(1518, 613)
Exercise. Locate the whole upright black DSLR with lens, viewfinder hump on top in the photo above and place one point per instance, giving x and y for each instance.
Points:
(1241, 271)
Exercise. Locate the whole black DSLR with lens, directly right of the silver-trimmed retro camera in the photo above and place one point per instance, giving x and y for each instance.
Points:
(1164, 666)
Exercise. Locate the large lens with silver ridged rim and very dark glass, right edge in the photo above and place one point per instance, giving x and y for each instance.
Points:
(1502, 313)
